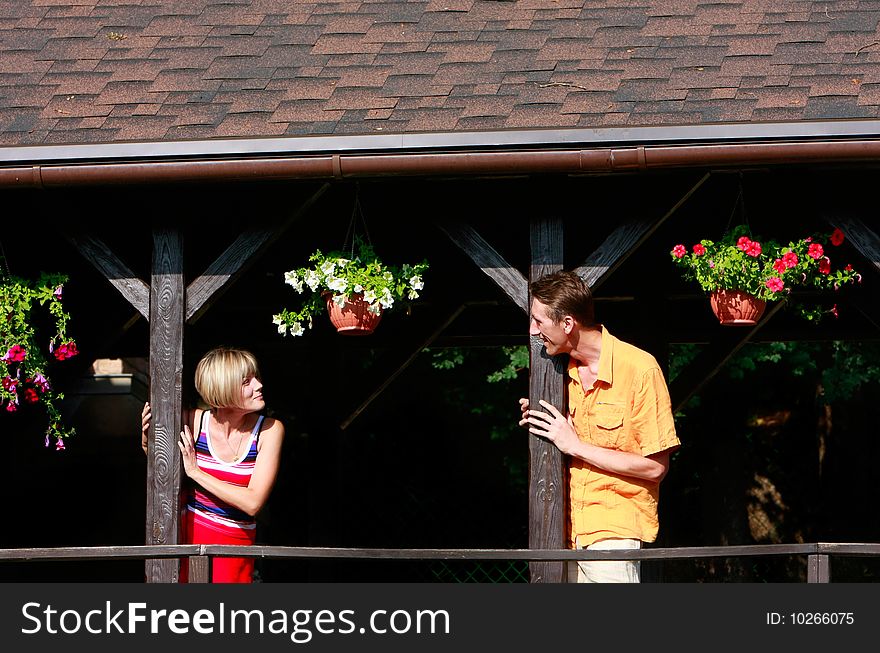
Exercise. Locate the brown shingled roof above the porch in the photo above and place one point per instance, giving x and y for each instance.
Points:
(98, 71)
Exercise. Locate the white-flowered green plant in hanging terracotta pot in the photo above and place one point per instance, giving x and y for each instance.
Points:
(335, 274)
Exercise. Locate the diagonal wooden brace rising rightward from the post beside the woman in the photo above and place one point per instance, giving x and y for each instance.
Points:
(236, 259)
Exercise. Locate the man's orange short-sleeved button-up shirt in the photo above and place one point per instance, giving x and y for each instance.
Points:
(627, 409)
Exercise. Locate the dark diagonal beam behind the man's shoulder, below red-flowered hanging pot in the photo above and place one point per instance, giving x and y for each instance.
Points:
(710, 361)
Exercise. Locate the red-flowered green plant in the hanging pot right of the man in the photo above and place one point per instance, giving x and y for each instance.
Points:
(766, 270)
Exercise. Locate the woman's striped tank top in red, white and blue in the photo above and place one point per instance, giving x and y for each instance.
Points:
(207, 508)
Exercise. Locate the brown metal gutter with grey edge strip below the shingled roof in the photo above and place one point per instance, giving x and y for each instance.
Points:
(478, 153)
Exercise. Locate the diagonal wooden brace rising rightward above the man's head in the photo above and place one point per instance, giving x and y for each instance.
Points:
(625, 240)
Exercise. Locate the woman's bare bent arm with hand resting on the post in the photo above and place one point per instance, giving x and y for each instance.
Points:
(252, 498)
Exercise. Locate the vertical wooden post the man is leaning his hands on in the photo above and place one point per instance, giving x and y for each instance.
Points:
(547, 479)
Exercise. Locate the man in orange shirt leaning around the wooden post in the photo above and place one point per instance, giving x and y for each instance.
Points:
(618, 433)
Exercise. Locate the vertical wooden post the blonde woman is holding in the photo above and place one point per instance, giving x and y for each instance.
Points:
(166, 370)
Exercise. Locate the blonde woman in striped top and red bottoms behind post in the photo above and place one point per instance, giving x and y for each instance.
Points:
(231, 455)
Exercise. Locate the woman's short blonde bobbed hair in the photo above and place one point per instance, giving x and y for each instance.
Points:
(221, 373)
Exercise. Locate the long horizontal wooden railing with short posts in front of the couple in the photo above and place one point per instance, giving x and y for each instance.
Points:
(199, 555)
